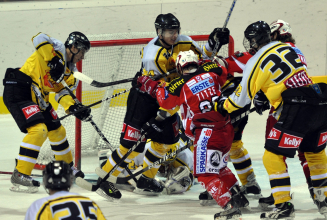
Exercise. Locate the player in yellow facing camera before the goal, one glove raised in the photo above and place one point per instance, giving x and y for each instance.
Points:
(157, 59)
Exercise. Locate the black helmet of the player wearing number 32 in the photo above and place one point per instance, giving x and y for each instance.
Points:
(255, 35)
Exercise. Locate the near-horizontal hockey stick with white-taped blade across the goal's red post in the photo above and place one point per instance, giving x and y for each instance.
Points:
(86, 79)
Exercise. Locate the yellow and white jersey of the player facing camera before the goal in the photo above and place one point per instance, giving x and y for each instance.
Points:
(158, 60)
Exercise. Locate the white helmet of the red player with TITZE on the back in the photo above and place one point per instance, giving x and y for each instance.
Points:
(186, 58)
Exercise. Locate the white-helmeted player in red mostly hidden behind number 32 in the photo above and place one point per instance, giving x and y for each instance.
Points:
(281, 31)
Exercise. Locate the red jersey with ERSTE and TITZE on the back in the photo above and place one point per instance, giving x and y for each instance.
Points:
(194, 93)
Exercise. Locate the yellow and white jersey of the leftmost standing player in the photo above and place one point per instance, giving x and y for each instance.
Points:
(36, 66)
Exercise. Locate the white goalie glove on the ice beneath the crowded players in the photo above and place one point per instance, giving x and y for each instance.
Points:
(179, 181)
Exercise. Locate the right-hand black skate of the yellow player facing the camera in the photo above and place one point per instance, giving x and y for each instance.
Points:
(148, 186)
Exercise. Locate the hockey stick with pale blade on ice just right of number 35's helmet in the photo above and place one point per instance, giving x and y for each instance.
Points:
(90, 187)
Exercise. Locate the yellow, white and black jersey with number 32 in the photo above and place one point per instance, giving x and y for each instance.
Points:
(273, 69)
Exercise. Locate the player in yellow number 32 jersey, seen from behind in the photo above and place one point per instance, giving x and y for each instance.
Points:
(300, 108)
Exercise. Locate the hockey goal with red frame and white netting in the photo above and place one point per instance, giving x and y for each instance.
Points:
(112, 57)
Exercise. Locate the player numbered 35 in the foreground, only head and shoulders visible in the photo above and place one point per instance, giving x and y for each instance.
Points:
(62, 204)
